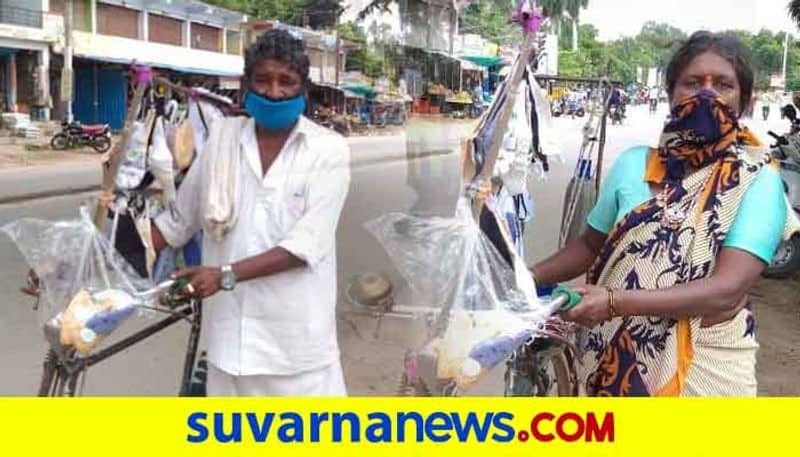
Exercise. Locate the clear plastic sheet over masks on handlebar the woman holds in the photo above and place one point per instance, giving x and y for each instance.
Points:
(484, 308)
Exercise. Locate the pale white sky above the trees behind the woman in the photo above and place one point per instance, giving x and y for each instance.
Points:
(616, 18)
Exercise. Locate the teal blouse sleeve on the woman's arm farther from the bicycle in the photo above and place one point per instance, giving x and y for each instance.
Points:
(759, 224)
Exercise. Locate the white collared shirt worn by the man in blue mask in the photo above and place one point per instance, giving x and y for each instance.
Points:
(282, 324)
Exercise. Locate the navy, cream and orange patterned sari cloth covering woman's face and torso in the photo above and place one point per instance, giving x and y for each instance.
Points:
(671, 239)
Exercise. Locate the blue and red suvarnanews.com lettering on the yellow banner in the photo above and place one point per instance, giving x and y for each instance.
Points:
(398, 427)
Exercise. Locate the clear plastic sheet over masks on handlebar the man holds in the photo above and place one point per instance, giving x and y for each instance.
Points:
(87, 289)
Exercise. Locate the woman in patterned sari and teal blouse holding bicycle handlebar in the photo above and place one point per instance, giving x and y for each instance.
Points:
(677, 237)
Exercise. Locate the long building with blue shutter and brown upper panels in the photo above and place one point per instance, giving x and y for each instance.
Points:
(185, 39)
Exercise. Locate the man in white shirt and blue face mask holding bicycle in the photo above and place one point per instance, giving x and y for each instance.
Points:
(268, 202)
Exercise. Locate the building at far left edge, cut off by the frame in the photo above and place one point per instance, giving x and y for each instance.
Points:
(26, 34)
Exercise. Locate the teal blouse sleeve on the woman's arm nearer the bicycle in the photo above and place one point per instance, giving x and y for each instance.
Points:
(621, 190)
